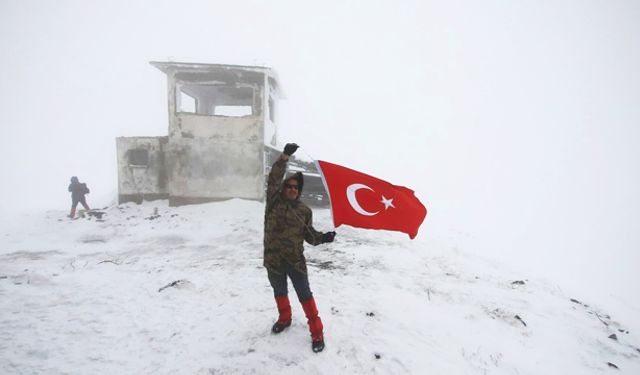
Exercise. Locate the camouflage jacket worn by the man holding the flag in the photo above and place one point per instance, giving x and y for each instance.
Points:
(287, 224)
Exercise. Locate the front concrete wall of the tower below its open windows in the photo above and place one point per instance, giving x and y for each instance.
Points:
(215, 157)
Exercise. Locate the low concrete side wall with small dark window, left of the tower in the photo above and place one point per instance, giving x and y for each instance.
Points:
(142, 182)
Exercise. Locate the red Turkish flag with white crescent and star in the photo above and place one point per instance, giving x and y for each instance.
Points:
(364, 201)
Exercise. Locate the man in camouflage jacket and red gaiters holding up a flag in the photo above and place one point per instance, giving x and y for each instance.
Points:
(287, 224)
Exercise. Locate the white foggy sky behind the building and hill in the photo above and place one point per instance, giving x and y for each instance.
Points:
(516, 123)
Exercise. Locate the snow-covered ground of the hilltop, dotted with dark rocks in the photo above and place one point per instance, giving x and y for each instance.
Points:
(92, 296)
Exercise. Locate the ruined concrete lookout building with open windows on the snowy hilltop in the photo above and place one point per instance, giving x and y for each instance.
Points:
(221, 140)
